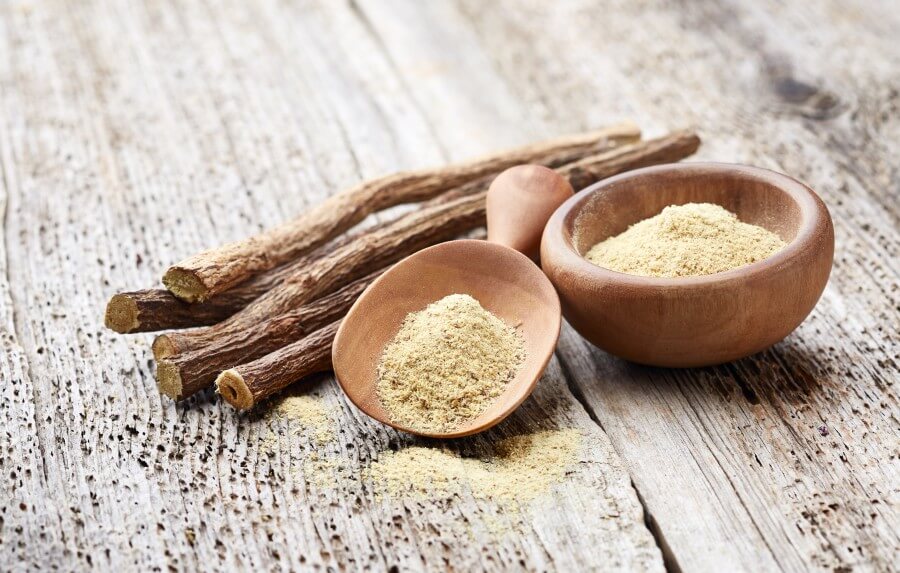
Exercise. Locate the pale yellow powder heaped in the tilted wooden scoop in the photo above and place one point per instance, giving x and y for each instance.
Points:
(447, 364)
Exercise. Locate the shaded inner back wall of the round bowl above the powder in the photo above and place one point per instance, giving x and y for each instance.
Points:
(755, 196)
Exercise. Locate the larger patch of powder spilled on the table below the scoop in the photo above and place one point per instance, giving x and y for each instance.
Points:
(522, 468)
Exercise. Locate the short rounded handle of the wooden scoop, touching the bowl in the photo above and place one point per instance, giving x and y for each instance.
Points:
(520, 201)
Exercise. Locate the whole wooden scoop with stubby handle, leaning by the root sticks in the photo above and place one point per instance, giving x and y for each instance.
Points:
(506, 282)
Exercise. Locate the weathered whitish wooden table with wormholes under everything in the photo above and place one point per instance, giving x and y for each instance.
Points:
(133, 134)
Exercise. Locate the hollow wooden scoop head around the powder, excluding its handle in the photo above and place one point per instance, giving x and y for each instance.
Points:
(505, 282)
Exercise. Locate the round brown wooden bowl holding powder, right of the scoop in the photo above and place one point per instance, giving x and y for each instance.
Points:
(690, 321)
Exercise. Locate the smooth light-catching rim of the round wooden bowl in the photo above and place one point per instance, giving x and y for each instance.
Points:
(813, 215)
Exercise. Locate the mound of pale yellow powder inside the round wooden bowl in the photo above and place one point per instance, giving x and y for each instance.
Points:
(686, 240)
